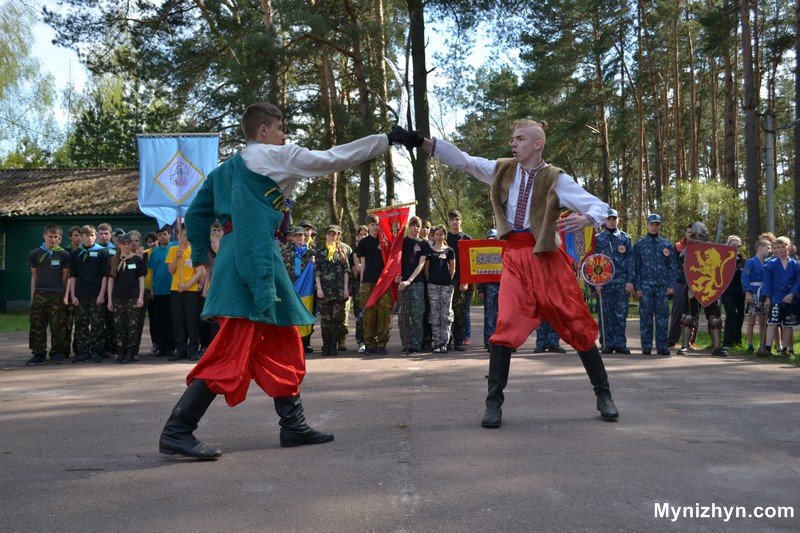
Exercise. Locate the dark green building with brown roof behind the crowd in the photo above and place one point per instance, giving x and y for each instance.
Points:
(33, 198)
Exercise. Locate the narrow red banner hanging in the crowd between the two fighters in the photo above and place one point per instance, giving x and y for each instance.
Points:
(390, 235)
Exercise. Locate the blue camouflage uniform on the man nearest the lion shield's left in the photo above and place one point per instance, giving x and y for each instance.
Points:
(655, 272)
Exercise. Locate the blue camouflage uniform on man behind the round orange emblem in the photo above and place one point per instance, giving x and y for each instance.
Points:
(618, 246)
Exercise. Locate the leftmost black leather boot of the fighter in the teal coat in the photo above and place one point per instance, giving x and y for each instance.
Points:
(177, 437)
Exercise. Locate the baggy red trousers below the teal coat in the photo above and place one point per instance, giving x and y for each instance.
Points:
(272, 356)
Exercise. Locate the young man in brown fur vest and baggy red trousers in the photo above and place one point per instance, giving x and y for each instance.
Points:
(537, 281)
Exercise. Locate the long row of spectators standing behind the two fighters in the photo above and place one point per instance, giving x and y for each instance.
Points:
(94, 294)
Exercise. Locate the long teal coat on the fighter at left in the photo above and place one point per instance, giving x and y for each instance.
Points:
(249, 279)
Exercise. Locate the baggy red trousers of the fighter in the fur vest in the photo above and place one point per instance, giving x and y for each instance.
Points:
(540, 286)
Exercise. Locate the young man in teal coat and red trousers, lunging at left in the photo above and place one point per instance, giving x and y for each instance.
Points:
(250, 293)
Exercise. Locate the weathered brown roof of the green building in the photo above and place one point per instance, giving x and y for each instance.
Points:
(47, 192)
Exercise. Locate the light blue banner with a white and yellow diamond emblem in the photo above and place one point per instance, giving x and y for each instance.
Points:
(172, 167)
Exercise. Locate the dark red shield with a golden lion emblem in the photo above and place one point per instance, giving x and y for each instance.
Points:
(709, 269)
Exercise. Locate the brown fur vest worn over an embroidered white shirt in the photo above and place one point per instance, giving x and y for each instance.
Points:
(545, 205)
